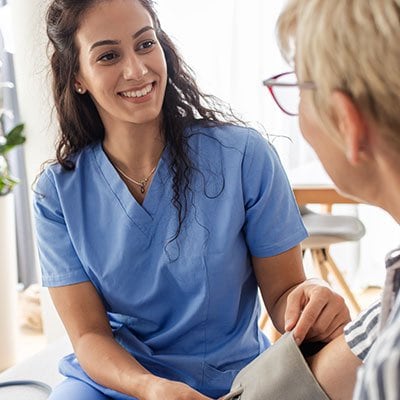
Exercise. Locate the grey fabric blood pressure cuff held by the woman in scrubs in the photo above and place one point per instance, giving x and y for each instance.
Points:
(281, 372)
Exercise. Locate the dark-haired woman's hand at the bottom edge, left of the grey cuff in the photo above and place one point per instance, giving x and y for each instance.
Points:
(160, 388)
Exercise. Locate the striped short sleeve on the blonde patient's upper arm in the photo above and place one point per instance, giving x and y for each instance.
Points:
(361, 333)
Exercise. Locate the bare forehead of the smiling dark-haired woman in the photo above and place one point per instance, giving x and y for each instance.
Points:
(112, 19)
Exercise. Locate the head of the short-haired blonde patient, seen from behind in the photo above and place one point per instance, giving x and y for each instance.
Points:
(348, 54)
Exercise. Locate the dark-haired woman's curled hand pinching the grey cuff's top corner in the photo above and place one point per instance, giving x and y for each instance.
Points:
(314, 312)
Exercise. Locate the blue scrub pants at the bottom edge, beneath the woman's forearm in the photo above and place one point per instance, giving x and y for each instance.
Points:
(77, 390)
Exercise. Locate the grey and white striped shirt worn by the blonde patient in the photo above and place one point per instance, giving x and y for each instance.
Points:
(379, 377)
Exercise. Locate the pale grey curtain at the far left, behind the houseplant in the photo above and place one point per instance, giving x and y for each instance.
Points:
(25, 249)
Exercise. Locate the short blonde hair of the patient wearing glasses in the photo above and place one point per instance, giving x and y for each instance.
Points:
(349, 45)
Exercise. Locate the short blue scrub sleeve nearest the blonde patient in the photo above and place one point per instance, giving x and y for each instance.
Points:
(273, 223)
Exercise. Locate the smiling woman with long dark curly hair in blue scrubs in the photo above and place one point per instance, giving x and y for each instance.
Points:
(160, 219)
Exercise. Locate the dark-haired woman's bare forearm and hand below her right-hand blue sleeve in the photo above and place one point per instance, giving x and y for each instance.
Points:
(309, 307)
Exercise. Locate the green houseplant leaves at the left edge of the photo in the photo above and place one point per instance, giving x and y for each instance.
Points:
(8, 142)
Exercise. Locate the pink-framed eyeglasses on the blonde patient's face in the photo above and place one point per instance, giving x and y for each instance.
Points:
(285, 90)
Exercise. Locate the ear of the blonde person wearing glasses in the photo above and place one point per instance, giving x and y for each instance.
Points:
(351, 125)
